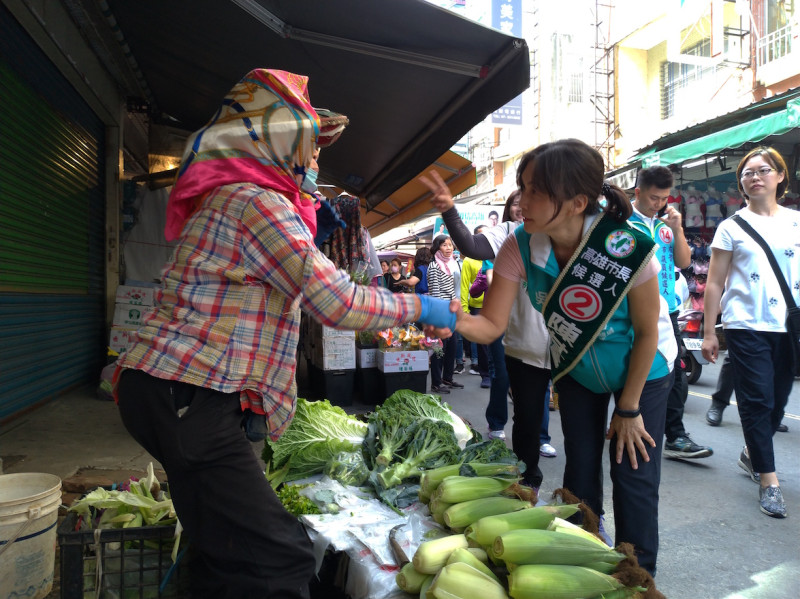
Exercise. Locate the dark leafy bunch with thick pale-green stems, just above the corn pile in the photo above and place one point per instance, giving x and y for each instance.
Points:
(433, 444)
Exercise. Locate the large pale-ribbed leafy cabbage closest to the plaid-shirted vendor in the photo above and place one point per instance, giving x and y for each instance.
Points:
(318, 432)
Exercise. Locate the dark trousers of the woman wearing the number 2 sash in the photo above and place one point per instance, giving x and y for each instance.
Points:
(584, 421)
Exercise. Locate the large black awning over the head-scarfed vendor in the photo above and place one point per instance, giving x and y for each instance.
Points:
(412, 78)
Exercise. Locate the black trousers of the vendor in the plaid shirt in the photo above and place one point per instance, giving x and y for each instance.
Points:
(246, 545)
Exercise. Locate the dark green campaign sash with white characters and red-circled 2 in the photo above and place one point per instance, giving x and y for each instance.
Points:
(591, 287)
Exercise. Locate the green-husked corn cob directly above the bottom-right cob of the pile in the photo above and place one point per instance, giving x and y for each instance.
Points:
(533, 546)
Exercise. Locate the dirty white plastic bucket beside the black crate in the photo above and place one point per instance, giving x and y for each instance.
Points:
(28, 516)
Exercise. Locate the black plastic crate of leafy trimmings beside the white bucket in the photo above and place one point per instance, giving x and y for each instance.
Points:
(123, 563)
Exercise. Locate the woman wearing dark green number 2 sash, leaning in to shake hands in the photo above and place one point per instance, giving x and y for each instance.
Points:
(593, 278)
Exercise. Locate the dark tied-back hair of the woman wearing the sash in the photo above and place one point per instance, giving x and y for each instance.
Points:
(568, 168)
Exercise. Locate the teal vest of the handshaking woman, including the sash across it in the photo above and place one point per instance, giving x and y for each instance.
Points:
(585, 305)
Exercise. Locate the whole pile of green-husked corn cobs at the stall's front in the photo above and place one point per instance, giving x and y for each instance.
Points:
(506, 547)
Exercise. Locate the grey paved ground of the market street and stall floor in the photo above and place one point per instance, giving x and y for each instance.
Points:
(715, 543)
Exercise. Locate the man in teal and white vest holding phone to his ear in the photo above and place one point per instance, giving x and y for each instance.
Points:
(662, 223)
